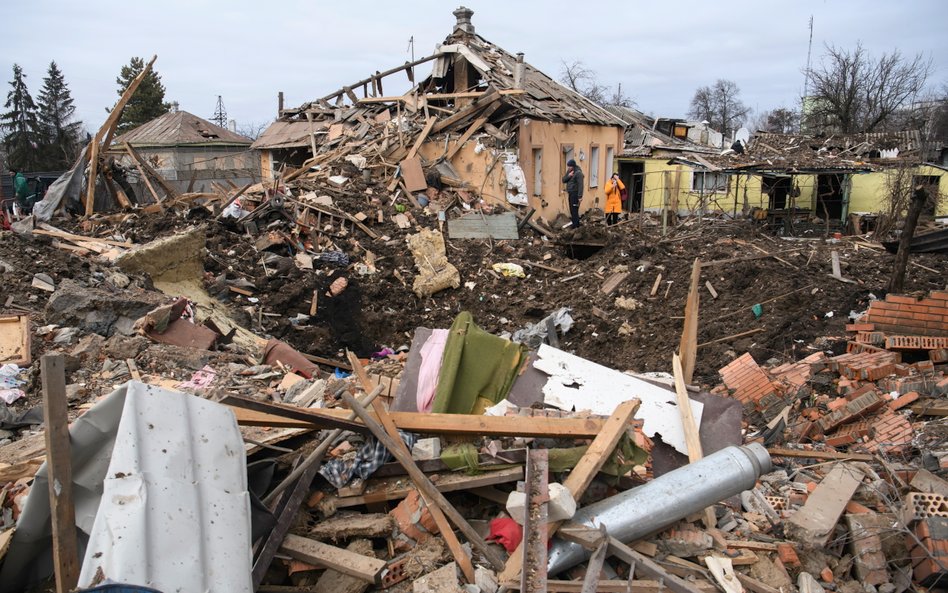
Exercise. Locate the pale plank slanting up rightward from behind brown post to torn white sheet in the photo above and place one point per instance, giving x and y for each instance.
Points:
(582, 475)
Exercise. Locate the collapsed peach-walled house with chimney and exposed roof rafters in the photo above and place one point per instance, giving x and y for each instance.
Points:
(484, 121)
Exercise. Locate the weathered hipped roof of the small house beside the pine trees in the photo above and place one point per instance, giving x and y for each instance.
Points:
(178, 128)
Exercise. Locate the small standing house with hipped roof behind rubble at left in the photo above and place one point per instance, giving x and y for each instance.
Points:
(191, 152)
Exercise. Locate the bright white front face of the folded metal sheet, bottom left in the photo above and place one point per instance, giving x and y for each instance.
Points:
(175, 511)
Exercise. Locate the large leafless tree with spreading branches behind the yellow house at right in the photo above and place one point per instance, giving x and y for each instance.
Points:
(853, 92)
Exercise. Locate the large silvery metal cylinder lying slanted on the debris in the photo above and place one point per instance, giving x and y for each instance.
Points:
(640, 511)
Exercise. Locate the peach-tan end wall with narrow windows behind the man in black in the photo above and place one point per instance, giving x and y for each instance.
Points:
(551, 138)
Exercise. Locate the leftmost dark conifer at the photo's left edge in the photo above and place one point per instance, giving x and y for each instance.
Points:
(20, 125)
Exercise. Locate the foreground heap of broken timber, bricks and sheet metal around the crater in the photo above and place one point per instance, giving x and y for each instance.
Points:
(427, 488)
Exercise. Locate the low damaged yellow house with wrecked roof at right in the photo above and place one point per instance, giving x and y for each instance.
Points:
(818, 178)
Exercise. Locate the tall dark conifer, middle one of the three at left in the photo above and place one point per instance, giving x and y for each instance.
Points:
(61, 136)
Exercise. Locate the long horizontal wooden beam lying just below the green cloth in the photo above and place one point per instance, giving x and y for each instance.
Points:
(277, 415)
